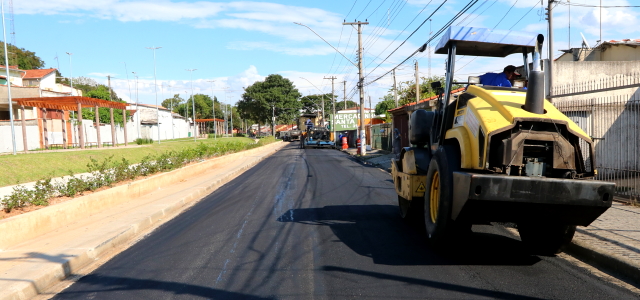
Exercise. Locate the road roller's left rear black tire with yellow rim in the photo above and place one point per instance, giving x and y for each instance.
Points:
(438, 224)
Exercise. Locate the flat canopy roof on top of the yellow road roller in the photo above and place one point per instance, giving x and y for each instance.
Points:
(475, 41)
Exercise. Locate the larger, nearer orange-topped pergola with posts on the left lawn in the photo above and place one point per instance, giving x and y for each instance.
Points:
(71, 103)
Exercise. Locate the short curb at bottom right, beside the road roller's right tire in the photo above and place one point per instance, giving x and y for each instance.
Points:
(603, 260)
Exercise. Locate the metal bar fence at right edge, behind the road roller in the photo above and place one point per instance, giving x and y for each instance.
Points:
(614, 125)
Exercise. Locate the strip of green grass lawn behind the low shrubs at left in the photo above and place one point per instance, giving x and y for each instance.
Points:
(24, 168)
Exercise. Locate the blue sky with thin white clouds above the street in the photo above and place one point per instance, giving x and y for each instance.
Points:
(232, 44)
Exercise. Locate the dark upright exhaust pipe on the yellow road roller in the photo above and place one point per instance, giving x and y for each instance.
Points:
(534, 102)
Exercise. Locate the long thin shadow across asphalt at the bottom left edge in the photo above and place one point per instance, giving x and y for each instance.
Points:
(90, 284)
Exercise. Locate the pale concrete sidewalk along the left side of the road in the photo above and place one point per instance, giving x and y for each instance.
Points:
(30, 267)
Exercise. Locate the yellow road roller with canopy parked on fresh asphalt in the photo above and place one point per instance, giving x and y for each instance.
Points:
(498, 154)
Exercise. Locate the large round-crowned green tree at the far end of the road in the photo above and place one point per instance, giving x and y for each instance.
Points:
(275, 95)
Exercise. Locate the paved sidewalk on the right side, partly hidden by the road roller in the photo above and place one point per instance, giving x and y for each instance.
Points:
(612, 242)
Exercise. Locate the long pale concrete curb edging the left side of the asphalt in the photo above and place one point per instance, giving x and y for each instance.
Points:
(58, 272)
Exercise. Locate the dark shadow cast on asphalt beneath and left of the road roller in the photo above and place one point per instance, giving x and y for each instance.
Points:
(378, 232)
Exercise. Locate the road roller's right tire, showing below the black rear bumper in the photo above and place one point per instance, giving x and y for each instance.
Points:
(545, 239)
